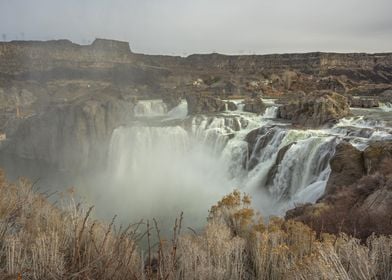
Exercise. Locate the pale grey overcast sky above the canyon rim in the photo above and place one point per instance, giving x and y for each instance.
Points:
(203, 26)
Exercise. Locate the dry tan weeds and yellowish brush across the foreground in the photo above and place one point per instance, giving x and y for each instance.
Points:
(39, 241)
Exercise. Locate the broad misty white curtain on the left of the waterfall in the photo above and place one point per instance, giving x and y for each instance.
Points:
(165, 168)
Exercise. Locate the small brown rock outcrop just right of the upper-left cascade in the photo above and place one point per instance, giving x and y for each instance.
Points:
(200, 103)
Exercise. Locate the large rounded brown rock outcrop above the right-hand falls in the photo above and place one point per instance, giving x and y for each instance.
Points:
(316, 109)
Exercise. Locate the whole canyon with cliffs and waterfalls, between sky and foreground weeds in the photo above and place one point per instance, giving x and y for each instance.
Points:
(193, 128)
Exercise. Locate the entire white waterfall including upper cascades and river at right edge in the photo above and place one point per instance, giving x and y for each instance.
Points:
(173, 162)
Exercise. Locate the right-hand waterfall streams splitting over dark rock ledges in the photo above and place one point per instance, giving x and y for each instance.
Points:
(288, 162)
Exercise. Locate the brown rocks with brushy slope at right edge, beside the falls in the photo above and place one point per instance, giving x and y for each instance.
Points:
(358, 197)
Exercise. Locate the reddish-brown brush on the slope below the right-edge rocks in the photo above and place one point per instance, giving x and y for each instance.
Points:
(359, 210)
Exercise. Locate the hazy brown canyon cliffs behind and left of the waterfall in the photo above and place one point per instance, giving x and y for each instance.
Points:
(60, 101)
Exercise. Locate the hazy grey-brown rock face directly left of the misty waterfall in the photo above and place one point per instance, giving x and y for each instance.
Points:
(71, 137)
